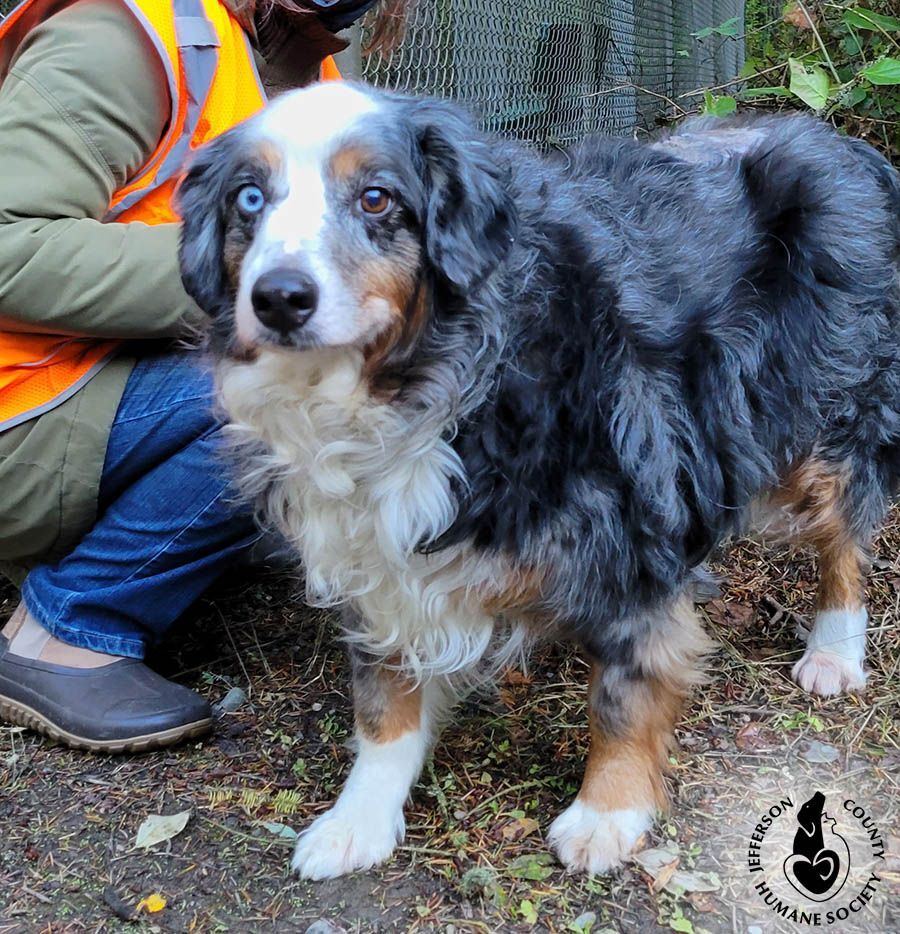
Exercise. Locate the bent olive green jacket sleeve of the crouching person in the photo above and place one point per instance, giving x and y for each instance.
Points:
(81, 111)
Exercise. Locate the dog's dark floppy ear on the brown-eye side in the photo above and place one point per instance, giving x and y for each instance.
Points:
(470, 221)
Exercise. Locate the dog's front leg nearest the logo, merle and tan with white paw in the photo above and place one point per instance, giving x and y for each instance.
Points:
(633, 707)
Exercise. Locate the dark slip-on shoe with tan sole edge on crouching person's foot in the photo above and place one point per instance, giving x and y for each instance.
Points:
(120, 707)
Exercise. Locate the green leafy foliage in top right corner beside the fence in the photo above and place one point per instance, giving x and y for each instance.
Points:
(838, 58)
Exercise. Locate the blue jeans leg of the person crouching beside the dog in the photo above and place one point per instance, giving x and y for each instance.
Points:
(169, 522)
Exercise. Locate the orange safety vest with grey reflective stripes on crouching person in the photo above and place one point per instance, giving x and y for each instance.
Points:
(213, 85)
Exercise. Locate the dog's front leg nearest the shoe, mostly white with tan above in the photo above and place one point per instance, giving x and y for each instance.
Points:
(395, 725)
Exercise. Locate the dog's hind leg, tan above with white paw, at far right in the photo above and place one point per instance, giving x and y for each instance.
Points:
(821, 496)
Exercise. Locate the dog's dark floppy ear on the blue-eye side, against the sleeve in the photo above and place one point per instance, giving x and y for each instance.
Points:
(201, 203)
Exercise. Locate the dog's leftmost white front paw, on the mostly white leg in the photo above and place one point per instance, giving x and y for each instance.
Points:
(339, 842)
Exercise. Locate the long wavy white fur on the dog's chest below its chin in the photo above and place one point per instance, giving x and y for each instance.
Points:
(355, 484)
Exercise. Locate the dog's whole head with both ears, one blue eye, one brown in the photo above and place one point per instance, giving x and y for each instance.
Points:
(324, 220)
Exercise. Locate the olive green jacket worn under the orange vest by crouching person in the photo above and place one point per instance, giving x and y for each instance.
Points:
(81, 110)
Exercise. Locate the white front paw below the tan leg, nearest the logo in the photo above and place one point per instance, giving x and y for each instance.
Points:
(586, 840)
